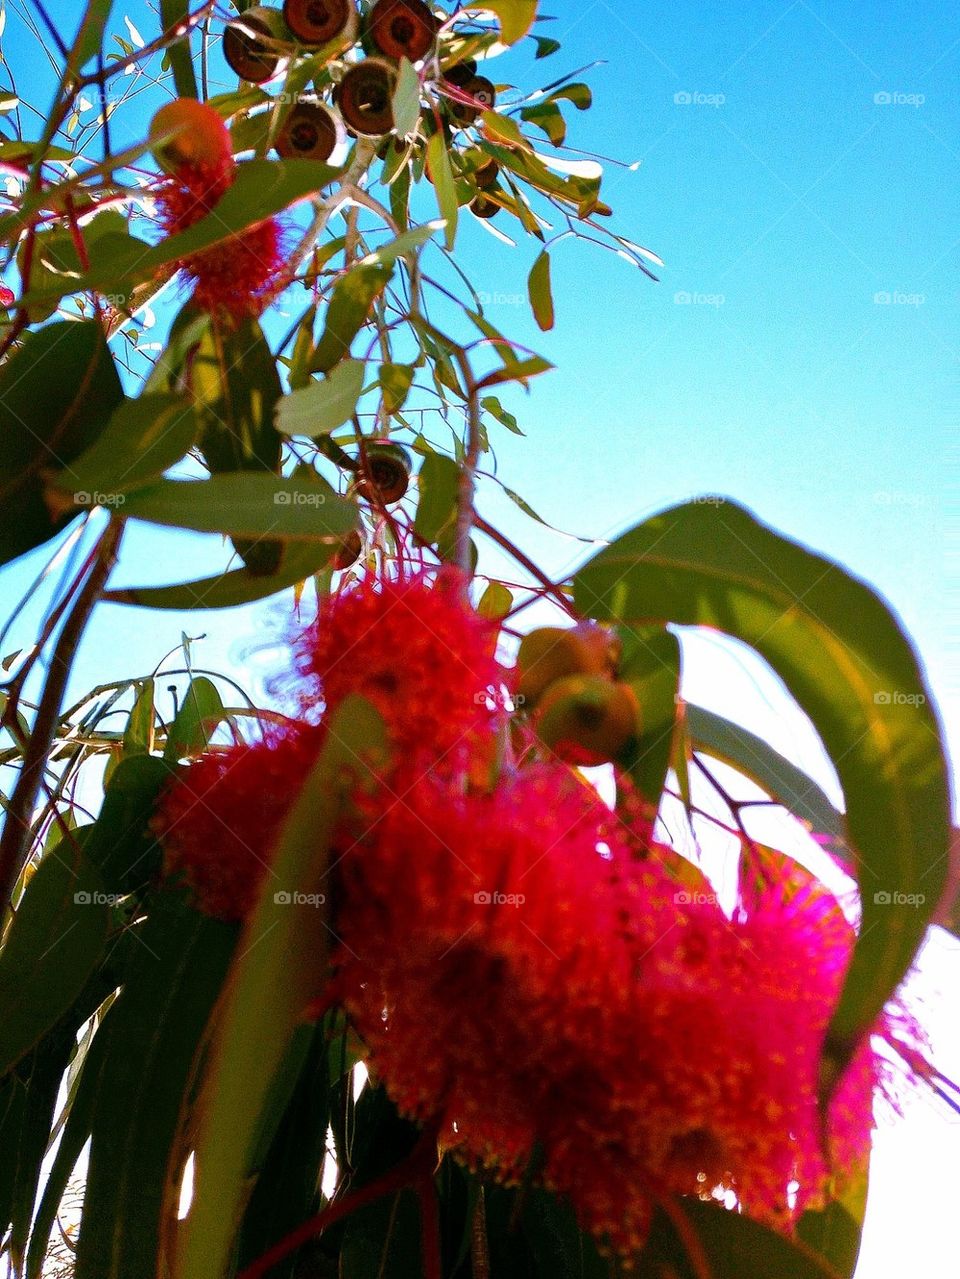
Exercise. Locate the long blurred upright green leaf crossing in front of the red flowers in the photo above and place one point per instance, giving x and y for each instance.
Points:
(281, 969)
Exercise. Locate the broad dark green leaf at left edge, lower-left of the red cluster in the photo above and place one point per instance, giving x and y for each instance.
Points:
(54, 945)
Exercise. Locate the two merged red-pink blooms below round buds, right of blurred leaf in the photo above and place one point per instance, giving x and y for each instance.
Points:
(538, 992)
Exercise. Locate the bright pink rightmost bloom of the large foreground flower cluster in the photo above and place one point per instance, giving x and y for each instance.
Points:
(715, 1084)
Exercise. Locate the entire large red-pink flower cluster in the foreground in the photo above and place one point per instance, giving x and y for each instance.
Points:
(532, 974)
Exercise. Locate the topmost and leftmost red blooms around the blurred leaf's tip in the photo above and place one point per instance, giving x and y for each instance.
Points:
(416, 650)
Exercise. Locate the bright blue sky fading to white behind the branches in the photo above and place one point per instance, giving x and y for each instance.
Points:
(801, 355)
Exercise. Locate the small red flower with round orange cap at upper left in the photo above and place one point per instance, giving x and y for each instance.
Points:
(240, 276)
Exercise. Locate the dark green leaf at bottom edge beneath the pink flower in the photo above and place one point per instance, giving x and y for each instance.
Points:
(731, 1246)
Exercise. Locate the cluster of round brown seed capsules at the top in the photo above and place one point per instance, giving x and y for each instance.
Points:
(260, 45)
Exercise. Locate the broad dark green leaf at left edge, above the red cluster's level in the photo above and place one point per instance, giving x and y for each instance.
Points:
(57, 395)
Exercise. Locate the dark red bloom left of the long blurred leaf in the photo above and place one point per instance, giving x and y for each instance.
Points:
(219, 822)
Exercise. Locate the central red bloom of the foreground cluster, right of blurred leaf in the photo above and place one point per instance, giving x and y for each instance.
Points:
(474, 957)
